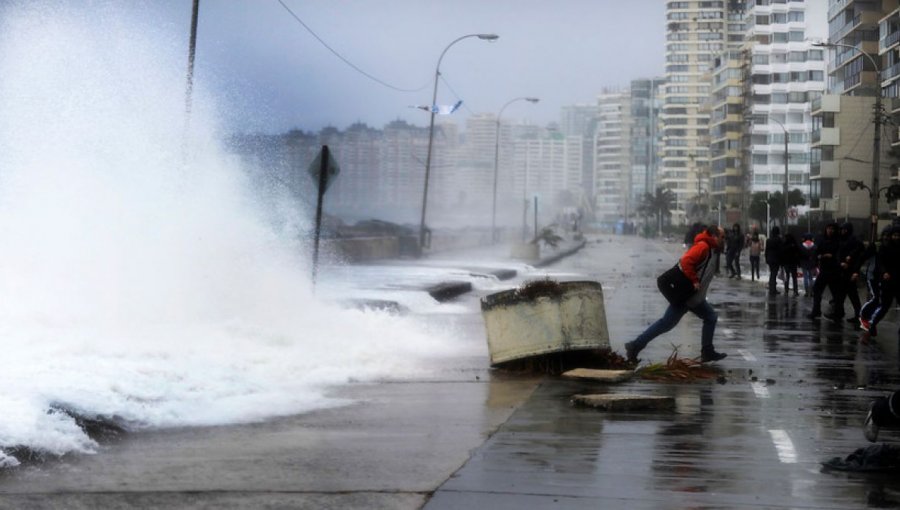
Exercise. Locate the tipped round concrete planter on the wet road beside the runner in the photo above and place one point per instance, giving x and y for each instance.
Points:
(545, 317)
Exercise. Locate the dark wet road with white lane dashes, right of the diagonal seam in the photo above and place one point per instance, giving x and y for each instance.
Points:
(794, 394)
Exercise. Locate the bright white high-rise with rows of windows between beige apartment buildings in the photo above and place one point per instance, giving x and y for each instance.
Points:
(786, 74)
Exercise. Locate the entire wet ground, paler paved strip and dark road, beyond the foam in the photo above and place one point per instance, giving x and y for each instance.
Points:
(793, 393)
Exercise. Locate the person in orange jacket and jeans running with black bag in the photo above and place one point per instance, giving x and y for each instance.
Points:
(698, 264)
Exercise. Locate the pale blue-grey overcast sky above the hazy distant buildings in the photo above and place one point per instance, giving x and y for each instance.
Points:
(271, 74)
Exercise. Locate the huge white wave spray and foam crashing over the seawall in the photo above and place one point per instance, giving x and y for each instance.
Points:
(135, 285)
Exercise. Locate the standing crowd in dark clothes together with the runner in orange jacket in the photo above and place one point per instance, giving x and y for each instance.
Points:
(835, 260)
